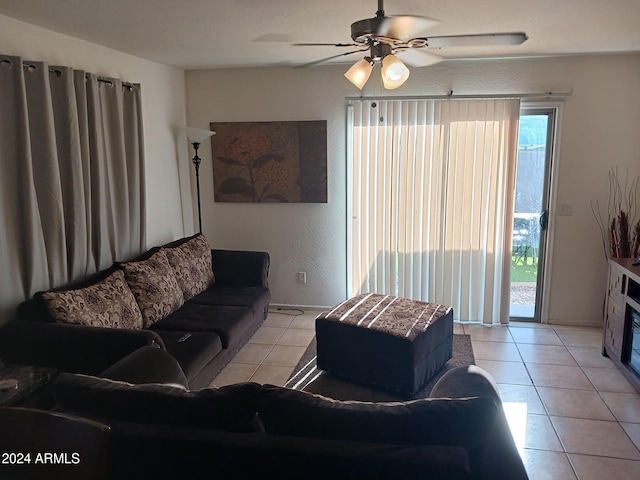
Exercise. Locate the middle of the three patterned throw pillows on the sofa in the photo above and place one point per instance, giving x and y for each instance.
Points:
(154, 286)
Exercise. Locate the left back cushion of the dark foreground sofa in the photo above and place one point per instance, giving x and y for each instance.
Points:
(231, 408)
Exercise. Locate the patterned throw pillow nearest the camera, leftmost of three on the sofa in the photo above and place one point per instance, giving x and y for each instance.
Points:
(108, 303)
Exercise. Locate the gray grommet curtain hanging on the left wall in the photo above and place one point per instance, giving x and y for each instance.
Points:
(71, 176)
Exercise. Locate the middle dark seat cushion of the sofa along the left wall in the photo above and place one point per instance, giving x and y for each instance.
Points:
(229, 322)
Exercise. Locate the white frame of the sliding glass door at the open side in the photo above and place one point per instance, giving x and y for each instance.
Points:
(545, 254)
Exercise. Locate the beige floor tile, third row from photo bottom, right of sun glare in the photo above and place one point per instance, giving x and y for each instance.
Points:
(564, 402)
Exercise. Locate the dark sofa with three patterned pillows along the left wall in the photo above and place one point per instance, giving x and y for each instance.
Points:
(220, 317)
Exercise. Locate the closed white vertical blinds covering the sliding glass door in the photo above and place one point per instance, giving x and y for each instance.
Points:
(432, 188)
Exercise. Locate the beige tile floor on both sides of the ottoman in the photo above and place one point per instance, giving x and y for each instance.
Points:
(572, 414)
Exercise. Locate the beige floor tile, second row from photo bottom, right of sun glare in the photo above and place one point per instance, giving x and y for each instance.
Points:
(594, 437)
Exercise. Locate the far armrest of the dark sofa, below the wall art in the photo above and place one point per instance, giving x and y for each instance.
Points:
(239, 268)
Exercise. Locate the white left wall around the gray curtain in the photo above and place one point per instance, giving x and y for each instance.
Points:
(163, 103)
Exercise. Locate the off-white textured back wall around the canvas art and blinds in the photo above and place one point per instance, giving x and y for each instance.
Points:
(600, 129)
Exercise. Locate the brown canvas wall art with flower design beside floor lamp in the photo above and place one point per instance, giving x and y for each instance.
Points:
(270, 162)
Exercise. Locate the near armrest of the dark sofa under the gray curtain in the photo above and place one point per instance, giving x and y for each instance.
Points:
(70, 348)
